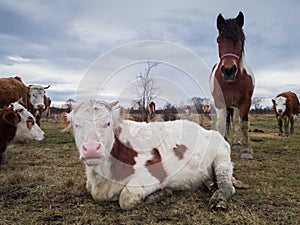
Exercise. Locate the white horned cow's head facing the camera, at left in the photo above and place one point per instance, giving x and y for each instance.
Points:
(36, 94)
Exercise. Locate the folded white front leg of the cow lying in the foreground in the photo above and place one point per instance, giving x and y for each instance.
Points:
(135, 192)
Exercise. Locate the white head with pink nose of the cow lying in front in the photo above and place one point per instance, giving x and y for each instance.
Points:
(93, 123)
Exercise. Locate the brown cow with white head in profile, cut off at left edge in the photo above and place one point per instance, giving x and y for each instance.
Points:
(17, 124)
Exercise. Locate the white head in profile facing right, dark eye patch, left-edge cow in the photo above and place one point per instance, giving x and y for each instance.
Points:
(27, 129)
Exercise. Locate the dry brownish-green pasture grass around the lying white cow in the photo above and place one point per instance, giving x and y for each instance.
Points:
(44, 183)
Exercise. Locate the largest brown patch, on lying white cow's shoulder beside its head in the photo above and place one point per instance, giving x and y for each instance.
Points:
(122, 160)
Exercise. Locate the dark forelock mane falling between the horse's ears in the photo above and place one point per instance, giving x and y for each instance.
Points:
(230, 29)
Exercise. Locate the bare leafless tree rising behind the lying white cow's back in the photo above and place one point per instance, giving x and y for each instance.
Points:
(145, 89)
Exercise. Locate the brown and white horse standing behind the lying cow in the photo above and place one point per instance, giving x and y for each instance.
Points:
(231, 82)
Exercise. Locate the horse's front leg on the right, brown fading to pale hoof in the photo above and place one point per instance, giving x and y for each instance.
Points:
(246, 150)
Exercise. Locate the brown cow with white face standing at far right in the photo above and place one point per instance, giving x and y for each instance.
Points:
(286, 107)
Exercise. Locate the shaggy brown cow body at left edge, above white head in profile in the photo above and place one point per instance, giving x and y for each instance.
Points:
(12, 89)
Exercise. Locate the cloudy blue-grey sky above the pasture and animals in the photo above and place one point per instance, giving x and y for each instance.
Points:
(62, 43)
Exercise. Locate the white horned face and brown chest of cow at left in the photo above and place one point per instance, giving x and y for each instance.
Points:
(36, 103)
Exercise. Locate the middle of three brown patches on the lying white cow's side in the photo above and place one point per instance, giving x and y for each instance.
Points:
(155, 166)
